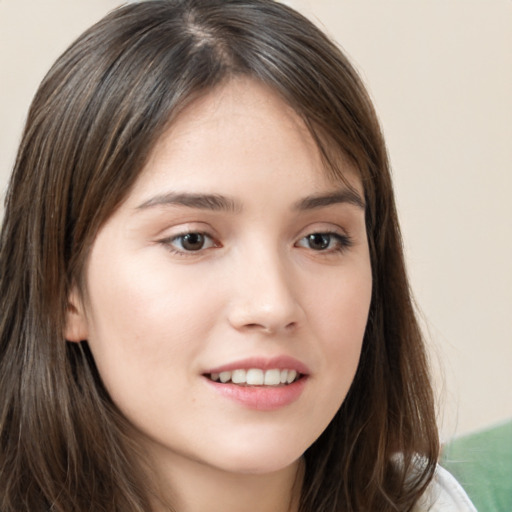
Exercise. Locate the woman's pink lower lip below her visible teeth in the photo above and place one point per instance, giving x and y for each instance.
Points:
(261, 398)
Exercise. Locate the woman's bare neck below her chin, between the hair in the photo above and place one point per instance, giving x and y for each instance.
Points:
(190, 486)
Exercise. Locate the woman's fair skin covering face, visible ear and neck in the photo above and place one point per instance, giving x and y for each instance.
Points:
(233, 251)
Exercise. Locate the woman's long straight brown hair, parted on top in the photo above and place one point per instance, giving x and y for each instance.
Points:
(95, 118)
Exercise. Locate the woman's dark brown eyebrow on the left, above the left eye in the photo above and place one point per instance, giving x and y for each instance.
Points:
(213, 202)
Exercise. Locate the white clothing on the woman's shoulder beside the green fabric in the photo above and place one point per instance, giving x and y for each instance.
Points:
(444, 494)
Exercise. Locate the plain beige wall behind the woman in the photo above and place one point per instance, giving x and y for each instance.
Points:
(440, 72)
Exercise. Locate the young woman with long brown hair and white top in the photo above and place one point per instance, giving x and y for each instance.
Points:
(203, 295)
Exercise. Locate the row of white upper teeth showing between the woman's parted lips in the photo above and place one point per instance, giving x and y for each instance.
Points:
(256, 377)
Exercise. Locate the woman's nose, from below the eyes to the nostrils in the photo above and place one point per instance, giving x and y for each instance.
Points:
(265, 296)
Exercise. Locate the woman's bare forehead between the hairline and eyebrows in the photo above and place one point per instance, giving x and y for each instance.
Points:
(240, 132)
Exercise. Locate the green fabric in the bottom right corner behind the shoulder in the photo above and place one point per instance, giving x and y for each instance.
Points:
(482, 463)
